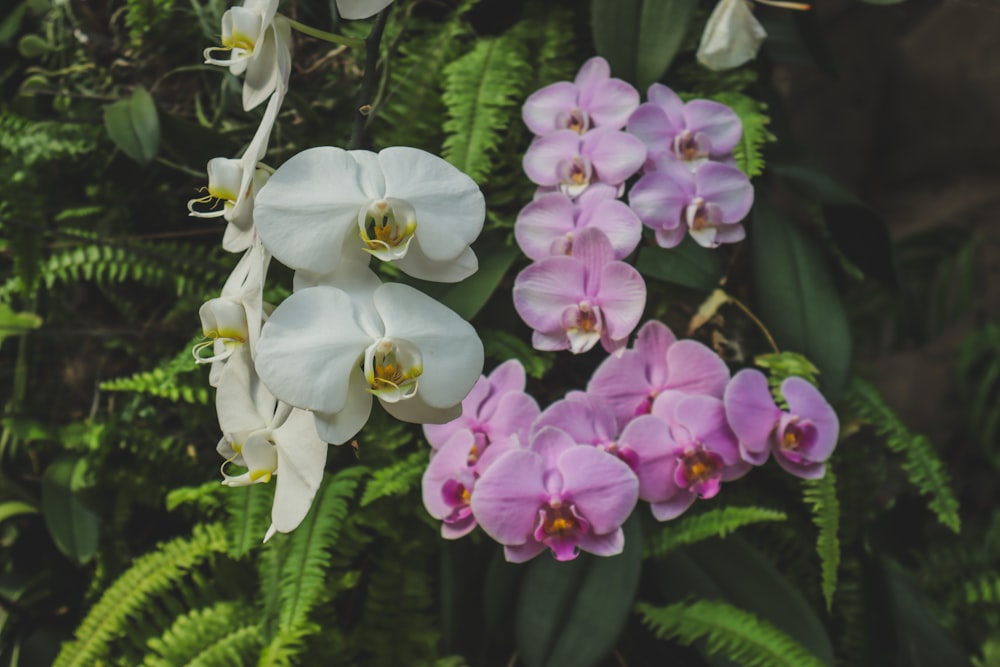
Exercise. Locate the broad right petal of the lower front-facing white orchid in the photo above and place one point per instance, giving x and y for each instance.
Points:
(452, 352)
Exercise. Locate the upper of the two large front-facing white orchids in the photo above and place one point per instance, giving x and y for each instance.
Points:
(403, 205)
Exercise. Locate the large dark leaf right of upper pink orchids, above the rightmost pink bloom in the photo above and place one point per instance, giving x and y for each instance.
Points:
(797, 299)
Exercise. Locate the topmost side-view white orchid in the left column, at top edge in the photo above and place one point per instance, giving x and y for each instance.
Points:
(259, 45)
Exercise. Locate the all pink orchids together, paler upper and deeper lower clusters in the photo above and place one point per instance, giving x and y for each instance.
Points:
(661, 421)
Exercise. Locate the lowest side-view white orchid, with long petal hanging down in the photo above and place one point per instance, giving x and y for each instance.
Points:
(269, 438)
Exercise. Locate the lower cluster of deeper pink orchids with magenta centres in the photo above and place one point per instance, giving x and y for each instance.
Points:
(663, 422)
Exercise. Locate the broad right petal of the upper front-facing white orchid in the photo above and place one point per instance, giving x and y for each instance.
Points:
(449, 205)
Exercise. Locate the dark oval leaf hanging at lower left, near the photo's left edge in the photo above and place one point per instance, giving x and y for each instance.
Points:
(73, 527)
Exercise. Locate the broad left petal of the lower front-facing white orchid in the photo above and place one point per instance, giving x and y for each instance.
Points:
(309, 348)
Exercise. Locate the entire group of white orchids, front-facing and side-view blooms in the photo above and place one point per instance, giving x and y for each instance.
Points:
(292, 378)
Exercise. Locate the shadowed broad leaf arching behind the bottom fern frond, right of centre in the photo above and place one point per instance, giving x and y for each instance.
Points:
(733, 571)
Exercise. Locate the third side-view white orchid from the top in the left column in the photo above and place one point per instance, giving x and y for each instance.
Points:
(232, 321)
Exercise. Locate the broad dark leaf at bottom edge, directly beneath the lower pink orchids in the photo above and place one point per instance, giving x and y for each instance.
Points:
(569, 614)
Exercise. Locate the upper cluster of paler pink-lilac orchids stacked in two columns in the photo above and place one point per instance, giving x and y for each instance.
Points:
(591, 136)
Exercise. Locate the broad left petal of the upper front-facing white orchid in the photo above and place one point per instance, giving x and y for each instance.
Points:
(309, 208)
